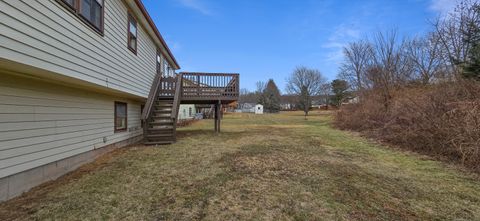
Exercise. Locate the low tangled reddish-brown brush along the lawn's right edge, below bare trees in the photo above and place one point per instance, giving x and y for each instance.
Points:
(441, 120)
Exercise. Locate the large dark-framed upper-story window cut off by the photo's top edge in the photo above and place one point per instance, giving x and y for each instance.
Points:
(89, 11)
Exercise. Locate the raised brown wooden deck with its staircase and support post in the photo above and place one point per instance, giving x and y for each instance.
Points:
(167, 93)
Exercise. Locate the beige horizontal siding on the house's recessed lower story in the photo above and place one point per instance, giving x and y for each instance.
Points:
(42, 122)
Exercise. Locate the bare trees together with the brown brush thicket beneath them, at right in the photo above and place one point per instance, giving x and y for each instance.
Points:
(412, 93)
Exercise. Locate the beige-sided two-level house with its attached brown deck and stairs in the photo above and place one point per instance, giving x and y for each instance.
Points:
(79, 78)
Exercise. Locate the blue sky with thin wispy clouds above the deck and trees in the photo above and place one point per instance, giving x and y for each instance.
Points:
(262, 39)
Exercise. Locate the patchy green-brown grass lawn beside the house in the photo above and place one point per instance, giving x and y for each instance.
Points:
(268, 167)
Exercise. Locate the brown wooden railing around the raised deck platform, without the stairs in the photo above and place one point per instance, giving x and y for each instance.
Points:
(210, 86)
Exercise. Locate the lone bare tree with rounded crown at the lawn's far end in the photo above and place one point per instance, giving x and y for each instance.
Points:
(305, 83)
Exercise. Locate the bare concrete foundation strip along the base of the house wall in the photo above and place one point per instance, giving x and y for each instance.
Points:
(19, 183)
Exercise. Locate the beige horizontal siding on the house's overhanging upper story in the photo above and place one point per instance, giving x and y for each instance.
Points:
(43, 34)
